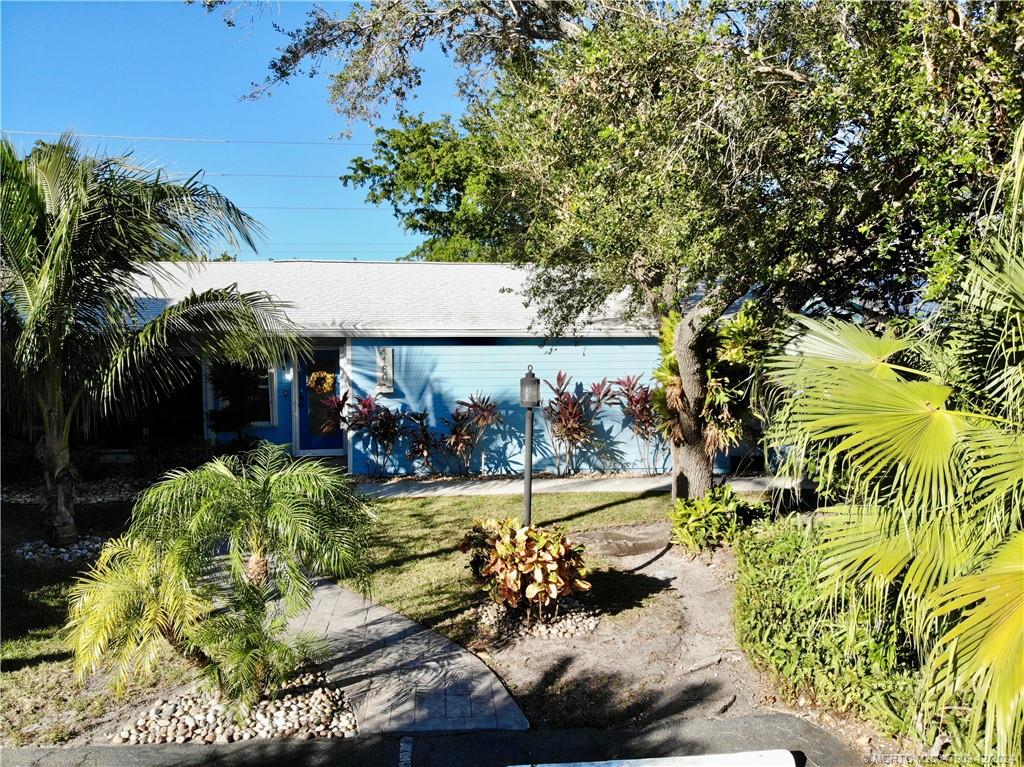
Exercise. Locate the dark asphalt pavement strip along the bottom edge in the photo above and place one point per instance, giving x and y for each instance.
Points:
(814, 746)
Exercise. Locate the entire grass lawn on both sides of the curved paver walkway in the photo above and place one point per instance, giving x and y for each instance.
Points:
(420, 573)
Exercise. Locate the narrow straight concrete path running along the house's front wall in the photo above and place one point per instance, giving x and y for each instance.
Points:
(509, 487)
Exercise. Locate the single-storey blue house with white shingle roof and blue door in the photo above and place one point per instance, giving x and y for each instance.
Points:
(420, 337)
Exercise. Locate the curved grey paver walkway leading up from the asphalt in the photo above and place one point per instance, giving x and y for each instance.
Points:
(403, 677)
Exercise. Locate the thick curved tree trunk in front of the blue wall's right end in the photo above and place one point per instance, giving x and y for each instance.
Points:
(692, 466)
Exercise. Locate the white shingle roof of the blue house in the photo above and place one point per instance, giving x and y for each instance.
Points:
(367, 299)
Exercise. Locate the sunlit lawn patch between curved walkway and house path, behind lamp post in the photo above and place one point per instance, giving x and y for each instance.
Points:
(420, 572)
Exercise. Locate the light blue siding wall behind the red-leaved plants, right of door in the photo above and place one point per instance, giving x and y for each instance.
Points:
(434, 374)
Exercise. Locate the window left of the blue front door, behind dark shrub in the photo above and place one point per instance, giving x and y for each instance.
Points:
(242, 397)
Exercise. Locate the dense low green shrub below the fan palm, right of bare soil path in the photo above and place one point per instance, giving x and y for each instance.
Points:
(817, 647)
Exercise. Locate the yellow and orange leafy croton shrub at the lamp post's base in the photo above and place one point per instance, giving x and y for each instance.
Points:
(525, 566)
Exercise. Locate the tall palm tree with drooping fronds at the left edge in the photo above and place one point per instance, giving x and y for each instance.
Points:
(80, 238)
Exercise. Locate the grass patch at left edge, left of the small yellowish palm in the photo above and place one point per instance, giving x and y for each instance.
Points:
(41, 703)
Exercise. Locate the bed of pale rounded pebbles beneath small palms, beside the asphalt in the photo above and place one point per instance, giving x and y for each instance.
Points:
(308, 708)
